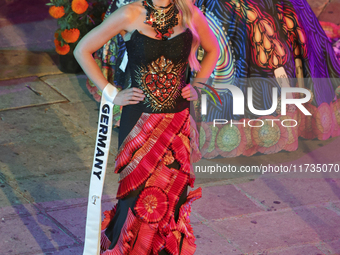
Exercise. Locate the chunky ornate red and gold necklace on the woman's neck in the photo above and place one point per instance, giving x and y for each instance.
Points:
(162, 20)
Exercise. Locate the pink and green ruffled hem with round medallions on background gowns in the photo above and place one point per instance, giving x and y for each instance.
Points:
(232, 141)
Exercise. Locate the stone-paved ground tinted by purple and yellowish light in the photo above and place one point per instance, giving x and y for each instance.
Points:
(46, 148)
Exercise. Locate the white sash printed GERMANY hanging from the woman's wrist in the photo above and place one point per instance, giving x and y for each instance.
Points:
(101, 153)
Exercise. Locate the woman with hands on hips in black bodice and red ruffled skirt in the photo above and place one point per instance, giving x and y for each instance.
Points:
(158, 139)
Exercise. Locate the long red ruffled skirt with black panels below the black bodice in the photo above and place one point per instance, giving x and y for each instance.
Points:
(154, 163)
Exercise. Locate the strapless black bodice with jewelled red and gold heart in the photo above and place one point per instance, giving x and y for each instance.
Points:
(158, 68)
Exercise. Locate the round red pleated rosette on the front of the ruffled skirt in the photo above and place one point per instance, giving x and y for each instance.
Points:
(151, 205)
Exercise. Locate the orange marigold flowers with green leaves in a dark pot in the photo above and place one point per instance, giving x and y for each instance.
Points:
(75, 19)
